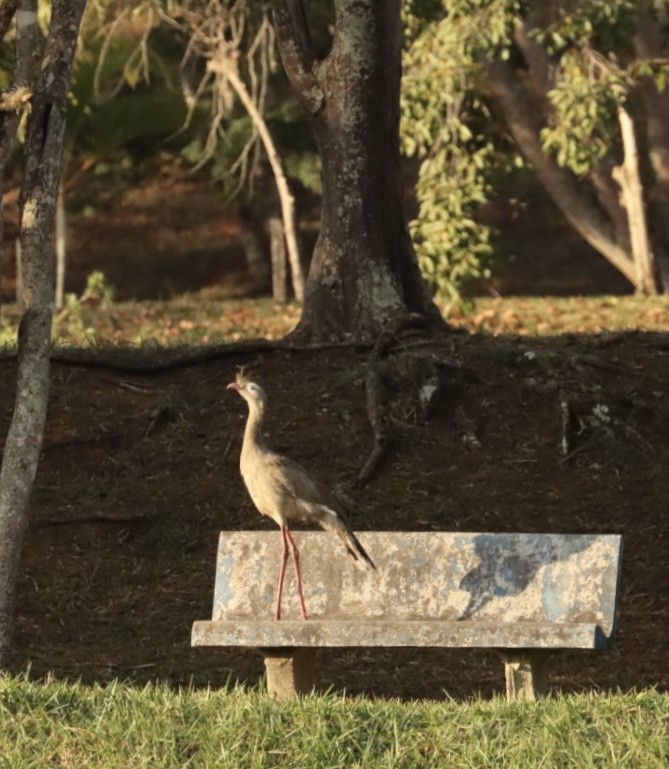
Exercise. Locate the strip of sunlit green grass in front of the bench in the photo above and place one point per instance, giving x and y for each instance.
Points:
(67, 725)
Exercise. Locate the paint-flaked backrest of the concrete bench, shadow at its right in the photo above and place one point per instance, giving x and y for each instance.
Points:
(543, 578)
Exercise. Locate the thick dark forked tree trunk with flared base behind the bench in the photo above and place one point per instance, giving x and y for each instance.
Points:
(364, 271)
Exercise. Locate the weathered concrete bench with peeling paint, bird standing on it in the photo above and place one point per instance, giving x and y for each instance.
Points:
(525, 595)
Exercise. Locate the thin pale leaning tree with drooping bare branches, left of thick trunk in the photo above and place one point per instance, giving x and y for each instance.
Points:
(225, 56)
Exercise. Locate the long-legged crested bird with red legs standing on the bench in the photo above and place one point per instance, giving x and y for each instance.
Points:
(283, 490)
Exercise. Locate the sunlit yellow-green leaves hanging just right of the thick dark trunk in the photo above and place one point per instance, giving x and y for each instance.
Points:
(446, 128)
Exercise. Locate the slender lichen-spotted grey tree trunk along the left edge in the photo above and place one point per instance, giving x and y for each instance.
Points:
(39, 192)
